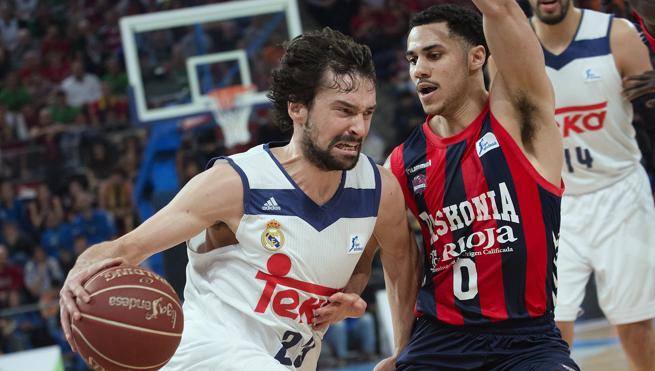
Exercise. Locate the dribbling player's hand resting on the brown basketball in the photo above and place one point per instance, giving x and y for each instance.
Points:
(73, 290)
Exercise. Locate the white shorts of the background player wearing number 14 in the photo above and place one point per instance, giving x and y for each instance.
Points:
(611, 233)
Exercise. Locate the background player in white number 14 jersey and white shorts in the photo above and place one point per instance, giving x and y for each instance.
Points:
(608, 217)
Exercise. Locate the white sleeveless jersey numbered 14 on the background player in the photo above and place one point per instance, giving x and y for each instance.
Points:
(595, 120)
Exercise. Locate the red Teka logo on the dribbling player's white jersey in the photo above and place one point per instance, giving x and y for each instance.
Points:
(287, 302)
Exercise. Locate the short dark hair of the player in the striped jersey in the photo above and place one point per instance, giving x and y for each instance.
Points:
(462, 21)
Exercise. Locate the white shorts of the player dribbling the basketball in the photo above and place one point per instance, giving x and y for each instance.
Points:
(210, 346)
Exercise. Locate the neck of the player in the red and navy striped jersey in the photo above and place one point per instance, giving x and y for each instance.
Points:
(450, 123)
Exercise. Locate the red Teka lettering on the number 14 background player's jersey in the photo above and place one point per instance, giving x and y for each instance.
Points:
(579, 119)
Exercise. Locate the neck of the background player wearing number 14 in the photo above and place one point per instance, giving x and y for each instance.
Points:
(557, 37)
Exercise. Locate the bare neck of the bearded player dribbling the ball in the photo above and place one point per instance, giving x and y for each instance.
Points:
(317, 184)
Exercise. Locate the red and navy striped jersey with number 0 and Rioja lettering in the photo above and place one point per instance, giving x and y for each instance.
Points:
(490, 224)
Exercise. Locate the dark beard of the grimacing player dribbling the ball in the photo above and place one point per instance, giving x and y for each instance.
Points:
(323, 158)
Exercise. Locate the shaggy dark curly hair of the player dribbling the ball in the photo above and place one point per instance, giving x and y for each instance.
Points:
(306, 59)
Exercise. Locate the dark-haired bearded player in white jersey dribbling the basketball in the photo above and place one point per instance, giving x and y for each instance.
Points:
(278, 232)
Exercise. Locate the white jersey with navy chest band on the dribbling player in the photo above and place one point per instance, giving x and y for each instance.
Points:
(292, 255)
